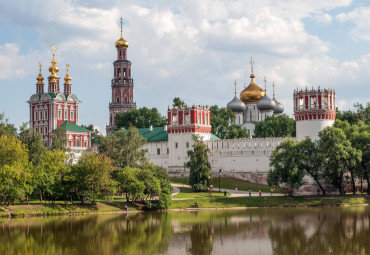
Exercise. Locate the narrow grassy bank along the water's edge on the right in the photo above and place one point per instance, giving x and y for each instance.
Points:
(270, 202)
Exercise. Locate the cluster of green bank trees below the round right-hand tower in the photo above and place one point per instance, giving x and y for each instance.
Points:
(340, 159)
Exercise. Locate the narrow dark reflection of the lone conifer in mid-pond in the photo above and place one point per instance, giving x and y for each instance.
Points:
(201, 239)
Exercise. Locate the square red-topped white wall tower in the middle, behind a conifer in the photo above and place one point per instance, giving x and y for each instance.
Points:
(183, 123)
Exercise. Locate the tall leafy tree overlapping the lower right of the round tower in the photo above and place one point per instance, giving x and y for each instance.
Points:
(341, 158)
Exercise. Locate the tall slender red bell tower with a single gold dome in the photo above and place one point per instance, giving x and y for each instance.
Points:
(122, 85)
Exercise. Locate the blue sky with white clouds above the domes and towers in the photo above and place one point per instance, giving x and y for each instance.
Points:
(190, 49)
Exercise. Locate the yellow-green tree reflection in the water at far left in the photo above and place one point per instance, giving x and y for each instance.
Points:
(103, 234)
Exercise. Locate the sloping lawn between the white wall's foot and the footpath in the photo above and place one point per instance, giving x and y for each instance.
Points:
(230, 183)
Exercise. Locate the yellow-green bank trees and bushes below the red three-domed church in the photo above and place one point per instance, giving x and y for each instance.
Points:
(29, 170)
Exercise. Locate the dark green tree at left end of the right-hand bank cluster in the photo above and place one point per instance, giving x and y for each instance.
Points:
(284, 160)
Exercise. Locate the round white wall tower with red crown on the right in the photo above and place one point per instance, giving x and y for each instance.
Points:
(314, 110)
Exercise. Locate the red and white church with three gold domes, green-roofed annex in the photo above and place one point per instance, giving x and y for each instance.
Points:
(49, 110)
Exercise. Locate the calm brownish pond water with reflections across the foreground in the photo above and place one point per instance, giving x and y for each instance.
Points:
(270, 231)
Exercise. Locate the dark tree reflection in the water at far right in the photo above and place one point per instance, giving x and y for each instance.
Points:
(339, 232)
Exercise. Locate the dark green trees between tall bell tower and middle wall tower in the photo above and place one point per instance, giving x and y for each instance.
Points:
(140, 118)
